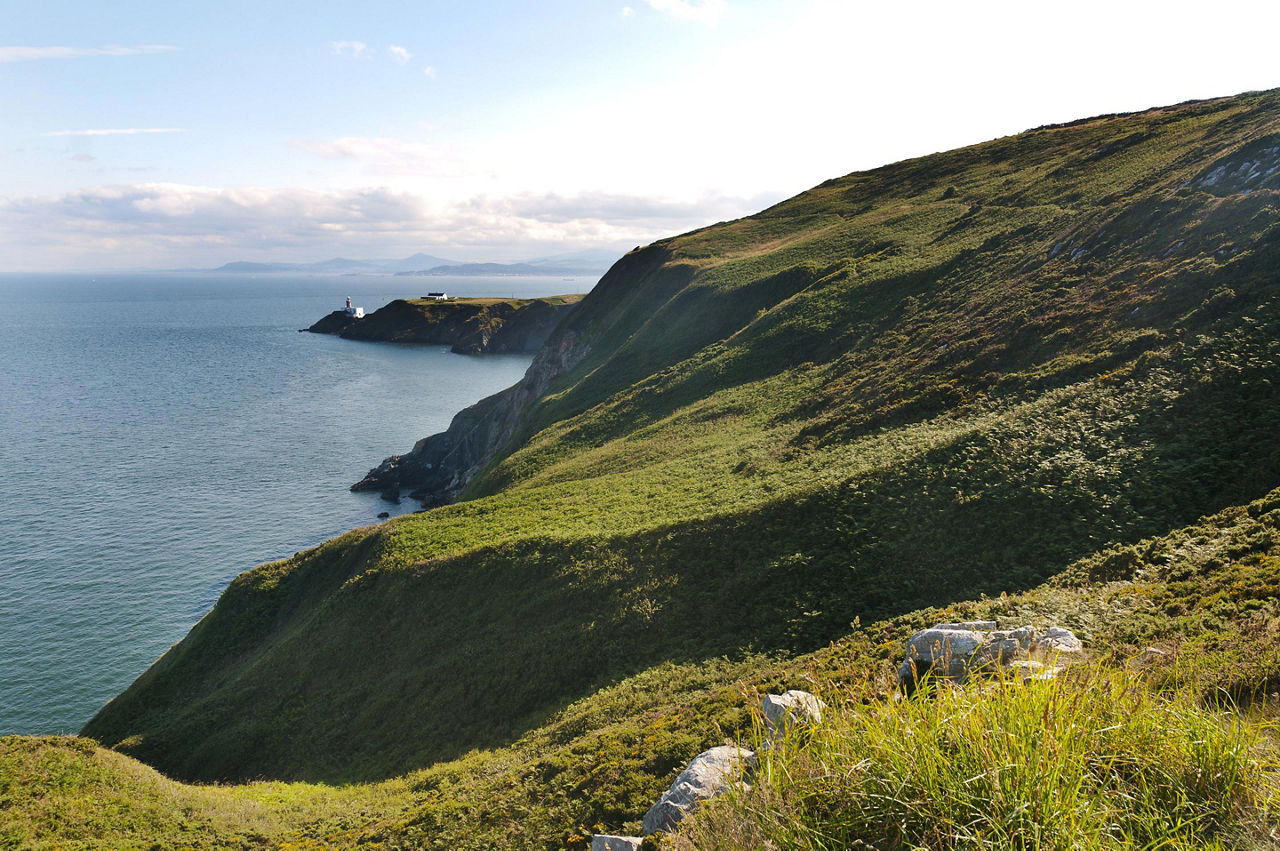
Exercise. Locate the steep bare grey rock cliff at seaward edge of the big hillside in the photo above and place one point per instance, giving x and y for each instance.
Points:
(438, 468)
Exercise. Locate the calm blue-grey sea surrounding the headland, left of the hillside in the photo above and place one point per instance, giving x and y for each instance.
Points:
(161, 434)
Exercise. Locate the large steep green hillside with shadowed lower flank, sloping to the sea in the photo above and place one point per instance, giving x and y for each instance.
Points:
(909, 387)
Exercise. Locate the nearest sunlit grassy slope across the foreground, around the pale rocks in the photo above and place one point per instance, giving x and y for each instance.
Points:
(1208, 594)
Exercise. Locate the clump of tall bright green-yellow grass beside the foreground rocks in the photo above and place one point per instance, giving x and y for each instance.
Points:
(1090, 761)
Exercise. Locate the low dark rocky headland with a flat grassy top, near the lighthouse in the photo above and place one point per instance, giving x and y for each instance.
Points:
(469, 326)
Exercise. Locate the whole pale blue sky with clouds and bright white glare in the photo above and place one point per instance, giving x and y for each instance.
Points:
(190, 135)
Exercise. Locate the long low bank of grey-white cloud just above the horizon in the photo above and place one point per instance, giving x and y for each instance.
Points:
(173, 225)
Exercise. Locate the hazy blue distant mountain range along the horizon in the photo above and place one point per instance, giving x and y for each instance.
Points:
(591, 262)
